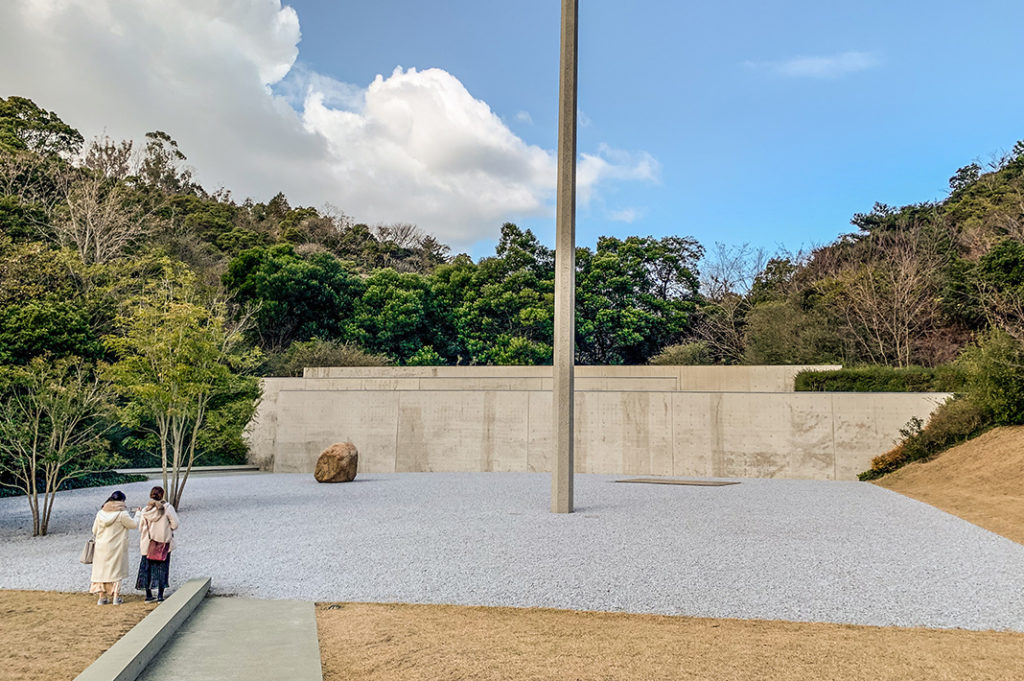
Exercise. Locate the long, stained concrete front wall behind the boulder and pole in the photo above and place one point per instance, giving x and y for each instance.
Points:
(633, 432)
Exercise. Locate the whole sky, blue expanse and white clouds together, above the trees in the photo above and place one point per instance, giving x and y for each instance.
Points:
(733, 122)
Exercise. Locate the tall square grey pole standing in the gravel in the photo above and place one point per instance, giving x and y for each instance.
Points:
(562, 478)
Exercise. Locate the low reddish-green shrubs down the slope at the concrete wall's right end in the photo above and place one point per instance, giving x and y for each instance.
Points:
(956, 421)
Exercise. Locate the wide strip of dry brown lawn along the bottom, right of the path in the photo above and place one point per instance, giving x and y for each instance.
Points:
(378, 643)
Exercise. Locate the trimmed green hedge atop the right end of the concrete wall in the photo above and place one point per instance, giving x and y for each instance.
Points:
(883, 379)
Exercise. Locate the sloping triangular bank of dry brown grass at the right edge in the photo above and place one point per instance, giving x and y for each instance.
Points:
(982, 481)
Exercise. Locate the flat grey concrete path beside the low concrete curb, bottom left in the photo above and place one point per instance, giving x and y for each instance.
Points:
(235, 639)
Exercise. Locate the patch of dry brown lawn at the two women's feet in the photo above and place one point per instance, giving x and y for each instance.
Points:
(55, 636)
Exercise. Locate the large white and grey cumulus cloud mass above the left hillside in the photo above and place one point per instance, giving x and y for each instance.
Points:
(226, 79)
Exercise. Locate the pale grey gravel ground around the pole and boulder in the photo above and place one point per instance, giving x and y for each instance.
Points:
(810, 551)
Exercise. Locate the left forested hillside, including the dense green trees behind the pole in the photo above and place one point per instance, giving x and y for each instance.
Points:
(301, 274)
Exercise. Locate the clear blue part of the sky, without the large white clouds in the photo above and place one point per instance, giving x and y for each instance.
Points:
(747, 154)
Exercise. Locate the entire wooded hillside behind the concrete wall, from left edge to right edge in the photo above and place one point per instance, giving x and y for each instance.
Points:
(152, 304)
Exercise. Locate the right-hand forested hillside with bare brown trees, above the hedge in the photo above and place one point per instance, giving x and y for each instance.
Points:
(911, 286)
